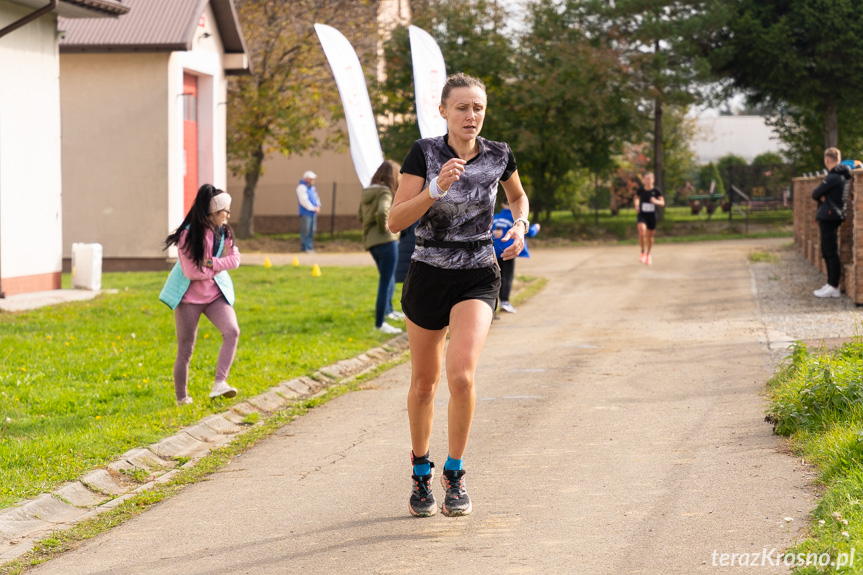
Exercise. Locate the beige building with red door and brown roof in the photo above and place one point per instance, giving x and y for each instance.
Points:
(143, 102)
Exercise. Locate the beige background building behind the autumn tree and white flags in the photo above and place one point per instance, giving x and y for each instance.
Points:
(276, 206)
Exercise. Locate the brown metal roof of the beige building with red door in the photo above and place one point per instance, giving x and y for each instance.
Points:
(153, 26)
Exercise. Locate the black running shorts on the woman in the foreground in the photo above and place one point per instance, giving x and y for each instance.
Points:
(429, 292)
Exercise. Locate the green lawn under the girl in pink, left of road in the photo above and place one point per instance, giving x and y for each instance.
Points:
(83, 382)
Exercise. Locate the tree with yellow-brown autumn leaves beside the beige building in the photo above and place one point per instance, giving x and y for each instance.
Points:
(290, 95)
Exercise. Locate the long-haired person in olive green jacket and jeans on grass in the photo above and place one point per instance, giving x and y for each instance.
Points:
(380, 242)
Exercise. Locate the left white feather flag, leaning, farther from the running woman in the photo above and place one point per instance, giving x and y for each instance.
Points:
(363, 132)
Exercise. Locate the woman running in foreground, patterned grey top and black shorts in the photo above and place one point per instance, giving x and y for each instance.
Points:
(449, 184)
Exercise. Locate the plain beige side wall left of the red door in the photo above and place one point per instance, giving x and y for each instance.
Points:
(115, 152)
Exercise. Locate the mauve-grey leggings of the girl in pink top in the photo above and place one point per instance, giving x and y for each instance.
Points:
(222, 315)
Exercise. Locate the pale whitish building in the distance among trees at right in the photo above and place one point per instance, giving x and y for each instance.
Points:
(745, 136)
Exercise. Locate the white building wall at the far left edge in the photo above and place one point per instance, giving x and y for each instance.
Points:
(30, 181)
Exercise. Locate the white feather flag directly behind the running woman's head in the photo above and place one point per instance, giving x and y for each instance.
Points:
(429, 79)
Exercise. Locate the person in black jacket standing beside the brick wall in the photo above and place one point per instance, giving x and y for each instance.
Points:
(830, 195)
